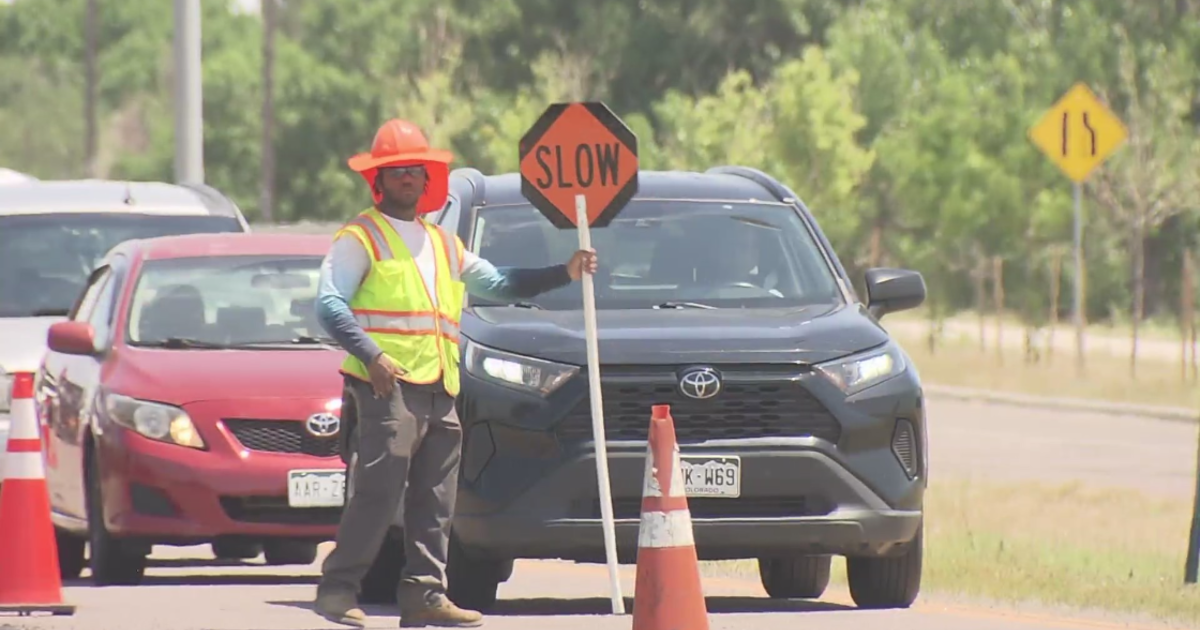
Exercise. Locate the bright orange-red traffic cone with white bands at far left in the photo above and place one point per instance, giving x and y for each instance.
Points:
(29, 555)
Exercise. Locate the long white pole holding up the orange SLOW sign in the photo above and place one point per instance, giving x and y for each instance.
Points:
(590, 323)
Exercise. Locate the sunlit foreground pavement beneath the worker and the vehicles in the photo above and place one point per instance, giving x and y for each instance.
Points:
(190, 596)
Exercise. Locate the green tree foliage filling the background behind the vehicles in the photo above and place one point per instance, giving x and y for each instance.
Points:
(902, 123)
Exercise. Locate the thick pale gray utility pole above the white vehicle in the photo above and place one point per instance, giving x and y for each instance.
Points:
(189, 100)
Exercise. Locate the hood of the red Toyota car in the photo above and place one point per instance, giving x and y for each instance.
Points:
(183, 377)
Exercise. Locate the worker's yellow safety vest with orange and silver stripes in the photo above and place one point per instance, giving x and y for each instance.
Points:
(394, 307)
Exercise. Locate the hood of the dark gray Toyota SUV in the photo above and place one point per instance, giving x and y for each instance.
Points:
(647, 337)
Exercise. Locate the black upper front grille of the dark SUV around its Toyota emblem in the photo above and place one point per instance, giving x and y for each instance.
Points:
(751, 405)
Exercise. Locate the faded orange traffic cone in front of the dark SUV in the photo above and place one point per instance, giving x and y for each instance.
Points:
(668, 593)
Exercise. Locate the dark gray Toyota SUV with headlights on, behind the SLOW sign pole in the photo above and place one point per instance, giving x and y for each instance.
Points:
(801, 422)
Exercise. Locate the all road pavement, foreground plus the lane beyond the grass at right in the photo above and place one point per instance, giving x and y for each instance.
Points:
(968, 440)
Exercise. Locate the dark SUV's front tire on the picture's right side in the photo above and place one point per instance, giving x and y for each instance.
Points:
(887, 583)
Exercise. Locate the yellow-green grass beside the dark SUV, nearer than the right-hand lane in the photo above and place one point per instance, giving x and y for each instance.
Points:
(1061, 547)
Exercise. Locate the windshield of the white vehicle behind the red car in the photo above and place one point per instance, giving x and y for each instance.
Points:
(46, 259)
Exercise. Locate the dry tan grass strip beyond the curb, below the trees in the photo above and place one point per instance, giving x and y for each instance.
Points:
(959, 362)
